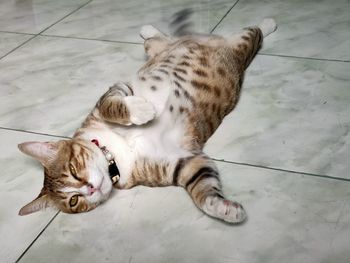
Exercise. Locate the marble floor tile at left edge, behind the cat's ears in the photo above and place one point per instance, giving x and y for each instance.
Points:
(20, 182)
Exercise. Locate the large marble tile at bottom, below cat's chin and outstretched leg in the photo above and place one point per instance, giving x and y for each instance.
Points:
(294, 217)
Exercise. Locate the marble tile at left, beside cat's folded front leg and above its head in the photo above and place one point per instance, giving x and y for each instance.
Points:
(51, 84)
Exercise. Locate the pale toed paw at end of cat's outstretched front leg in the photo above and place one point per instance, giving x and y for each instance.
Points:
(224, 209)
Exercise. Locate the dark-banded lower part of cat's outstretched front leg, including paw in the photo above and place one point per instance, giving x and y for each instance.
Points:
(200, 177)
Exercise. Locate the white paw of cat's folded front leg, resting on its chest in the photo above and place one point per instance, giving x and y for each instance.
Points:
(141, 111)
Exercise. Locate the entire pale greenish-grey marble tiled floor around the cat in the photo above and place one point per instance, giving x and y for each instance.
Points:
(284, 152)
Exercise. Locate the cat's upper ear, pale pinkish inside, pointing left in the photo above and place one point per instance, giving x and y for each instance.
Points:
(44, 152)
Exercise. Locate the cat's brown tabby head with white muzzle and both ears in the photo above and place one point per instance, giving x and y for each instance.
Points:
(76, 175)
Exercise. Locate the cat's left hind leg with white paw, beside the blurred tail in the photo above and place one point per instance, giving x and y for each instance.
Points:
(155, 41)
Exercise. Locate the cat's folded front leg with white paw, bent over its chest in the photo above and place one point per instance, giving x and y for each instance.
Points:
(118, 105)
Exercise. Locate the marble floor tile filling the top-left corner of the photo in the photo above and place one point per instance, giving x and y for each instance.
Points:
(32, 16)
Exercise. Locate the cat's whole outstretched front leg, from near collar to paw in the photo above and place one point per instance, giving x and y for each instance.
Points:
(197, 174)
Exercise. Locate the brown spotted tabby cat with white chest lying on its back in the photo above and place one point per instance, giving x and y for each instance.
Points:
(151, 131)
